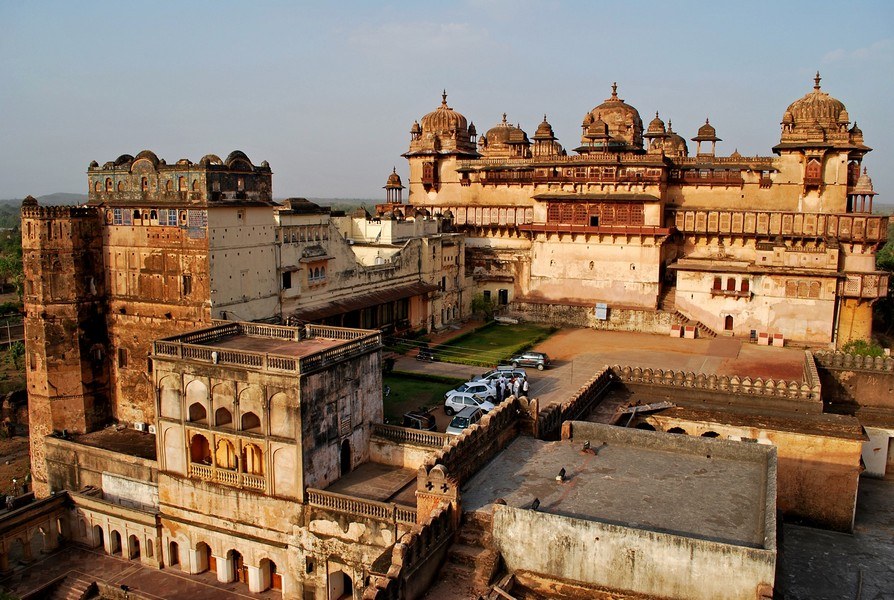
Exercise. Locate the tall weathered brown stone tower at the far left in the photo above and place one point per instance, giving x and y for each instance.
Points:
(65, 317)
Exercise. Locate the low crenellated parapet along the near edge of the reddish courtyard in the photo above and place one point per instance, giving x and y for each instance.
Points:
(730, 384)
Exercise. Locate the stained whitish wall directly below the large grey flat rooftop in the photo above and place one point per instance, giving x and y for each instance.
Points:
(629, 559)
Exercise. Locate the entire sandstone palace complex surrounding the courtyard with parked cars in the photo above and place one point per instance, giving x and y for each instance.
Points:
(205, 364)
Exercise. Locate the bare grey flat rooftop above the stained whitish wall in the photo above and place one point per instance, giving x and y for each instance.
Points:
(683, 489)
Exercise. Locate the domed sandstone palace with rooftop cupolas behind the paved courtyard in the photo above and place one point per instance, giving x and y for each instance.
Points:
(755, 246)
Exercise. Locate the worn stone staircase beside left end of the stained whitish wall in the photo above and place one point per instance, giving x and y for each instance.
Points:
(471, 562)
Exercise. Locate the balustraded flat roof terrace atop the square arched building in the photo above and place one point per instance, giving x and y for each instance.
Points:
(262, 347)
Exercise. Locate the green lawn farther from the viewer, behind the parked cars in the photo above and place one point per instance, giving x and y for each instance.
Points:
(492, 344)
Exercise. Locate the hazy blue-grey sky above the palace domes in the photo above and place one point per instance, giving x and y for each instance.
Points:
(327, 92)
